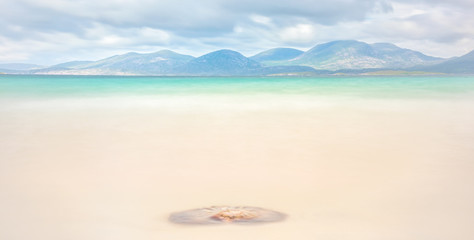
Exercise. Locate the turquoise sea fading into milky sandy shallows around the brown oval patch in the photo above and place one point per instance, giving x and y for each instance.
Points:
(343, 158)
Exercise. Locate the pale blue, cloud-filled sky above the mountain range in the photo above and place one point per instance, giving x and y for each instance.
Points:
(48, 32)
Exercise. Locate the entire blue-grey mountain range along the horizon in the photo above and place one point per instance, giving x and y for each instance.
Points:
(347, 56)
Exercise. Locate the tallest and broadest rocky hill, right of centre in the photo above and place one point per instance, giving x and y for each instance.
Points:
(352, 54)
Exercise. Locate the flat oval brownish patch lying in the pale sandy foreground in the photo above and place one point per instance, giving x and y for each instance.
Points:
(226, 214)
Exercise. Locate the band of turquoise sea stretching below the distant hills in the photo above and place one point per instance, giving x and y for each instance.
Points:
(93, 86)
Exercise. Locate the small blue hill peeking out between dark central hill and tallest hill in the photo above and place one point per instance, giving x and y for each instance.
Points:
(275, 55)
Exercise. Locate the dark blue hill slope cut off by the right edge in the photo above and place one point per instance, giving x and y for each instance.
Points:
(459, 65)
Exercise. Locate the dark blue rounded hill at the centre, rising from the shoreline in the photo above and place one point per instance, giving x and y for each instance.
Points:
(222, 62)
